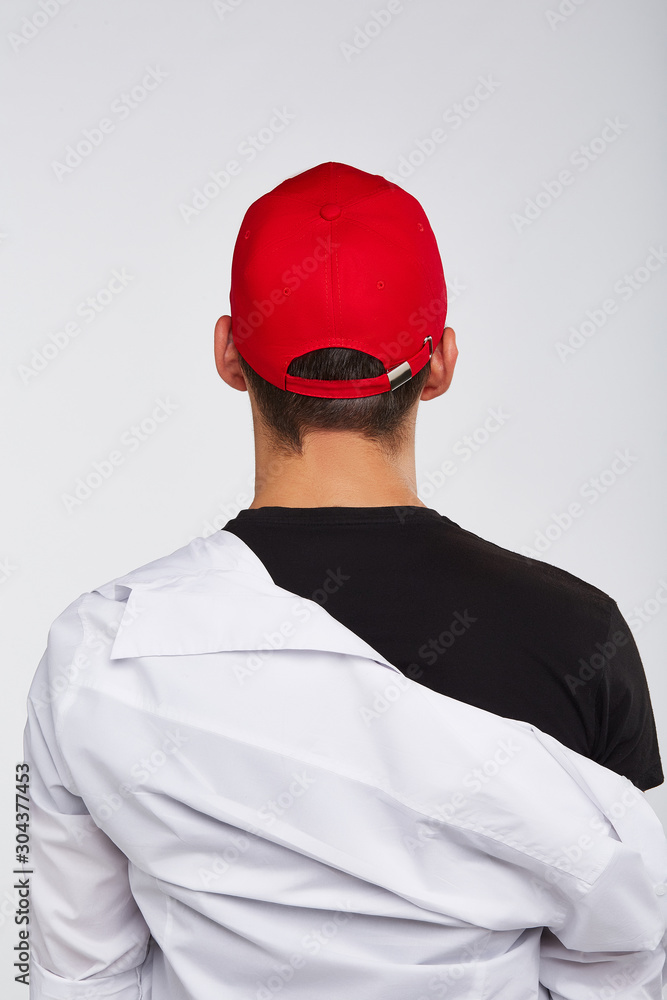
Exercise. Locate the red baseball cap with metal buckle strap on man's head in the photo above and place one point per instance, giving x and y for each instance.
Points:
(336, 257)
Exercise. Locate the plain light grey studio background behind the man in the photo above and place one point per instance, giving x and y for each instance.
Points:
(555, 71)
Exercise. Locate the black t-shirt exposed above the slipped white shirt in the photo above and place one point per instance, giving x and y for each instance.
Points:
(474, 621)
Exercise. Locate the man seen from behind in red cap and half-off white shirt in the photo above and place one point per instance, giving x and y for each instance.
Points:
(238, 791)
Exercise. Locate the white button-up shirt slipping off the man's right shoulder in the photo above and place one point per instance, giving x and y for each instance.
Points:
(234, 797)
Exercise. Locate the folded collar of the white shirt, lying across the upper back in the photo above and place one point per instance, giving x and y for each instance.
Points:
(180, 604)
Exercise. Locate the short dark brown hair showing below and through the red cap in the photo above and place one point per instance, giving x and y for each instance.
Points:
(381, 418)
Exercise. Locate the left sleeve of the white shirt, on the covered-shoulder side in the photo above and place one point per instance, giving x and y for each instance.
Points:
(87, 935)
